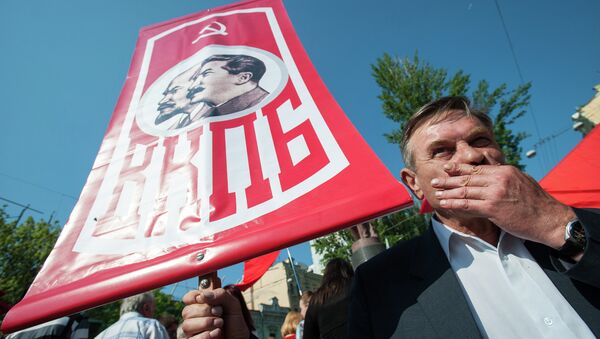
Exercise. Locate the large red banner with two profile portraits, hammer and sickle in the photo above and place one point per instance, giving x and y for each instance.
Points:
(224, 145)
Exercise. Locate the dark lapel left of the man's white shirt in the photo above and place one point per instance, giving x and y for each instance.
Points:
(442, 300)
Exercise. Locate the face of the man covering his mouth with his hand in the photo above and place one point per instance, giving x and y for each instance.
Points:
(457, 139)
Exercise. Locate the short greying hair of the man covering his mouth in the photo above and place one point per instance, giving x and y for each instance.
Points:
(436, 111)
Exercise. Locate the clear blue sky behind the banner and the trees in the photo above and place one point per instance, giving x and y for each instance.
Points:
(63, 64)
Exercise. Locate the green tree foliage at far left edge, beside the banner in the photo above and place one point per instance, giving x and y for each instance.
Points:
(23, 250)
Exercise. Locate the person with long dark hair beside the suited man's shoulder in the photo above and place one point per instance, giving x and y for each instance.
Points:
(327, 312)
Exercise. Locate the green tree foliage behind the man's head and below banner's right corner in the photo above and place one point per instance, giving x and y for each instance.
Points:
(406, 85)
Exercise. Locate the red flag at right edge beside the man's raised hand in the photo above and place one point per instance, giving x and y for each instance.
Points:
(575, 181)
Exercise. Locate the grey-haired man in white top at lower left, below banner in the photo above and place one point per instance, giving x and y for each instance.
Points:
(136, 320)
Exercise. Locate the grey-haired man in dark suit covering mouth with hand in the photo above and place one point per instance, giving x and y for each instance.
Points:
(502, 258)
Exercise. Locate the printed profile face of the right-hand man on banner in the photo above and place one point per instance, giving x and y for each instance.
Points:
(212, 84)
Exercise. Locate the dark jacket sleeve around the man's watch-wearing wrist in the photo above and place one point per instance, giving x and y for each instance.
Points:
(587, 270)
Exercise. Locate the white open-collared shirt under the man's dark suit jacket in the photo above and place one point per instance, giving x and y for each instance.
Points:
(508, 293)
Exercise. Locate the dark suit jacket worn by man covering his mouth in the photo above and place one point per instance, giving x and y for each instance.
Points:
(410, 290)
